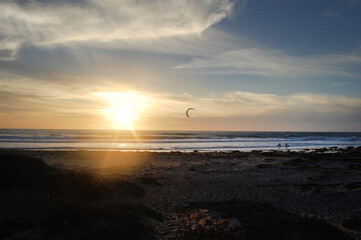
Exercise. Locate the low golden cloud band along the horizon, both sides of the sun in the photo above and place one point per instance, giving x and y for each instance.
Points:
(237, 110)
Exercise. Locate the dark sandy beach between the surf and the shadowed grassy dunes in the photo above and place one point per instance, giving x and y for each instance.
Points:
(323, 184)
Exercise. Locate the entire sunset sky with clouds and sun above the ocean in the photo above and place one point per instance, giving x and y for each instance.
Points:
(251, 65)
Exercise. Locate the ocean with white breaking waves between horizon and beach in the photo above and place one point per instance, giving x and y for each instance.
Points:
(32, 139)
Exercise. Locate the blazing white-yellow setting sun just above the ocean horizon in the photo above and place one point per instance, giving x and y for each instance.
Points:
(124, 108)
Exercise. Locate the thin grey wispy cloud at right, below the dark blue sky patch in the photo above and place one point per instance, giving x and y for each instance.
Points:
(266, 62)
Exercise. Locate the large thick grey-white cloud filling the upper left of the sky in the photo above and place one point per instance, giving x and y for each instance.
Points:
(44, 23)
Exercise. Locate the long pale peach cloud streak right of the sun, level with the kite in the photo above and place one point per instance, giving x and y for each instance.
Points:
(249, 104)
